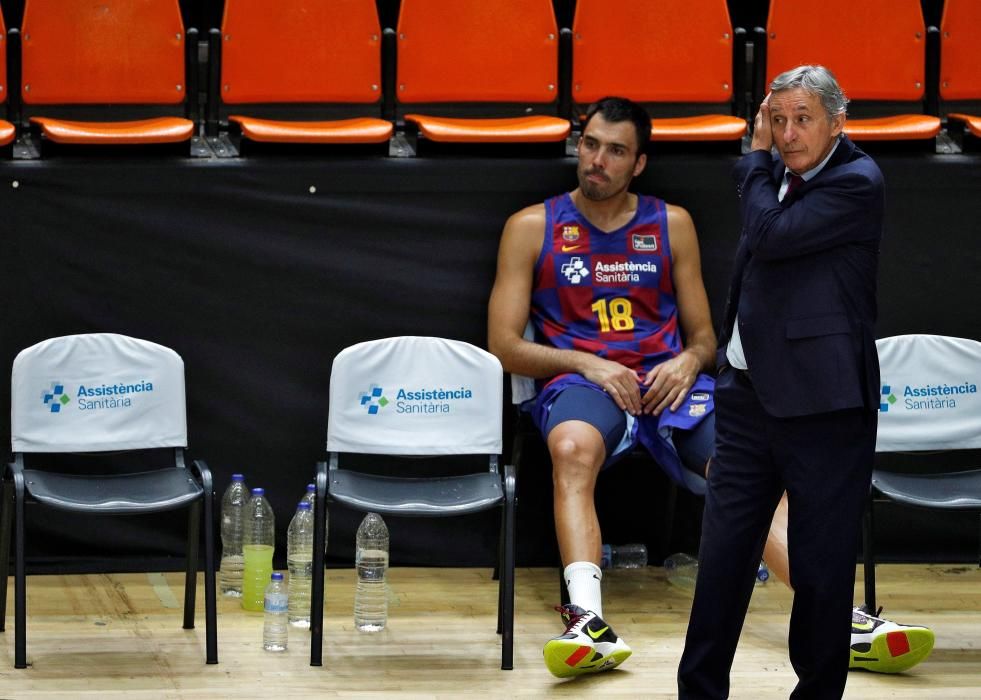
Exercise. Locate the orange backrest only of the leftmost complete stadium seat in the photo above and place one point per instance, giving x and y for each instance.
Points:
(106, 52)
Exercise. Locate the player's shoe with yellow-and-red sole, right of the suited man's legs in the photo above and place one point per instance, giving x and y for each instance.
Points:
(887, 647)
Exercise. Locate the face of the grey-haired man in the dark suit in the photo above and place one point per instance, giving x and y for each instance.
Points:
(802, 131)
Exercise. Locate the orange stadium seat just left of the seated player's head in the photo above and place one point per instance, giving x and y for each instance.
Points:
(480, 72)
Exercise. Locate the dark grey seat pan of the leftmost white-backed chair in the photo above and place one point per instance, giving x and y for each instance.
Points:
(141, 492)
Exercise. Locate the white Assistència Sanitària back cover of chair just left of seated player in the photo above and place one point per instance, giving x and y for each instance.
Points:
(414, 395)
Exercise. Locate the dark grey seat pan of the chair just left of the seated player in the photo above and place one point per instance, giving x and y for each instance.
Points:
(445, 496)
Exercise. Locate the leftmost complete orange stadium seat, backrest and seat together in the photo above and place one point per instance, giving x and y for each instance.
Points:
(114, 57)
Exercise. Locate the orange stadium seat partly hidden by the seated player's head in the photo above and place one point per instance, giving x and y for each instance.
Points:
(683, 67)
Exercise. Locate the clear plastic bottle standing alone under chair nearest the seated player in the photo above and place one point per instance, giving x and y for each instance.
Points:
(371, 596)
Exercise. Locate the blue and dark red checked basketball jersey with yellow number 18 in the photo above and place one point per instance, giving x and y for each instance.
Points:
(607, 293)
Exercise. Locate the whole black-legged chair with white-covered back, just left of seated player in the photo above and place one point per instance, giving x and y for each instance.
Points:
(416, 397)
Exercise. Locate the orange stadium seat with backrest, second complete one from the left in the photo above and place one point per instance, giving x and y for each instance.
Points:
(300, 71)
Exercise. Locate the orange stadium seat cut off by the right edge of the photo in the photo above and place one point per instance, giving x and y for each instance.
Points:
(960, 63)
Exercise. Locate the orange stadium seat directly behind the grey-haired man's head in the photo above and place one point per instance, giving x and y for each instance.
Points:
(877, 51)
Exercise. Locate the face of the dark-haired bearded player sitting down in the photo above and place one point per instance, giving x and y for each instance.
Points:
(608, 158)
